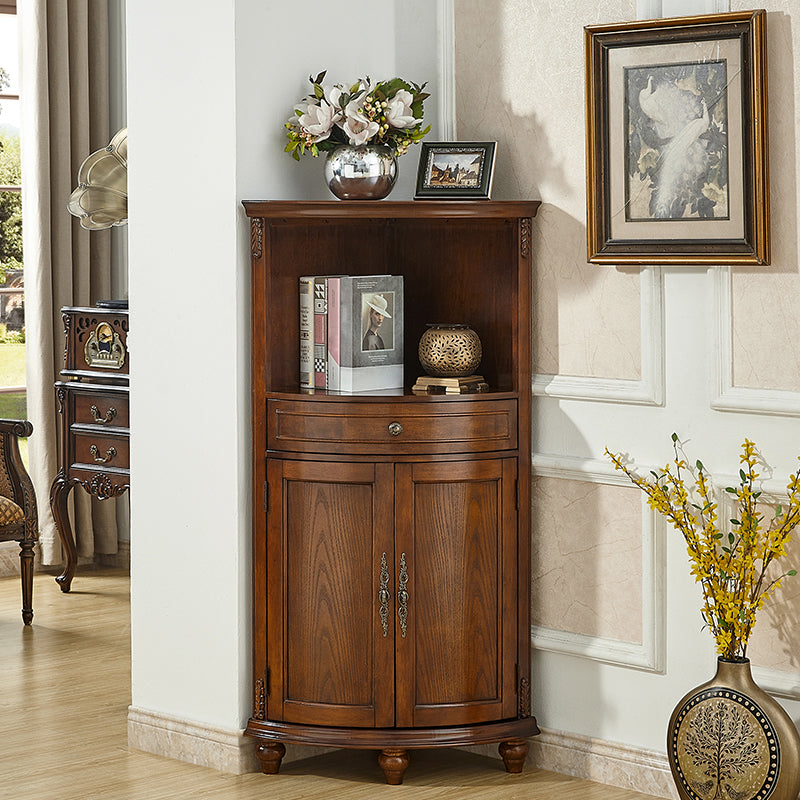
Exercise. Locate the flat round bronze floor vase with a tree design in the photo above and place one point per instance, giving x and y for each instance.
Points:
(729, 740)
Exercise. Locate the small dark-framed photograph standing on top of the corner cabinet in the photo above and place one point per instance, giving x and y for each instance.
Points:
(453, 170)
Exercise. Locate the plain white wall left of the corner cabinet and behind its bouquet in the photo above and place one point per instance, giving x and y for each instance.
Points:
(209, 88)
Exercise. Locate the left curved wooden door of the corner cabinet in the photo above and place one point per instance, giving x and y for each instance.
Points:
(330, 657)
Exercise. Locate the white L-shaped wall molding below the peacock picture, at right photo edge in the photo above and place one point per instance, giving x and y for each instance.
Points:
(724, 395)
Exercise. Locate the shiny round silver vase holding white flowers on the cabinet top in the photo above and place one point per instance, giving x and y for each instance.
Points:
(364, 172)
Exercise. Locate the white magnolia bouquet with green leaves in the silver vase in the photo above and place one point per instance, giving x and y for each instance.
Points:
(388, 112)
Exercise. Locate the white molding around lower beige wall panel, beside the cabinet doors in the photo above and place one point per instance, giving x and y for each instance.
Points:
(649, 655)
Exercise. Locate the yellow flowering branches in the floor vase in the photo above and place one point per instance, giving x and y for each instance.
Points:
(730, 563)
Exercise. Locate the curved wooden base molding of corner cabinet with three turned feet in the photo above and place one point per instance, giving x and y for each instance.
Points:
(392, 743)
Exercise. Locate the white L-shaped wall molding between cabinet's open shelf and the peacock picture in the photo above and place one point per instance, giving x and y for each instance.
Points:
(647, 391)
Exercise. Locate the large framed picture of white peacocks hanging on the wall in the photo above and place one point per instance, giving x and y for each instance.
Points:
(676, 141)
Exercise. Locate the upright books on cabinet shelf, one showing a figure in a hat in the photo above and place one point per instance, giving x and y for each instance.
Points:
(351, 332)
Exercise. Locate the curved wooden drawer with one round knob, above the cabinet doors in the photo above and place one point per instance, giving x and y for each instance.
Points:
(392, 428)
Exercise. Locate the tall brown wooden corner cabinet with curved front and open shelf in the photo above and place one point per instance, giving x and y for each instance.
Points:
(391, 549)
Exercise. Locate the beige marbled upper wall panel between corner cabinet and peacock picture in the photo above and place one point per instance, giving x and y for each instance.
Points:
(520, 81)
